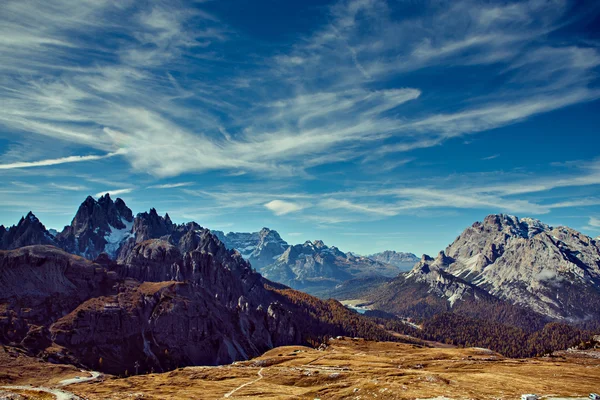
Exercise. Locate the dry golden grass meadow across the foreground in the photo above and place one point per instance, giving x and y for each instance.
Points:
(357, 369)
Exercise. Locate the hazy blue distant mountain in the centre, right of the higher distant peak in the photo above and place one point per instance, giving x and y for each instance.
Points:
(314, 267)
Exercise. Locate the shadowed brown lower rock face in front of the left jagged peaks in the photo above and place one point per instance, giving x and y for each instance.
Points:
(203, 307)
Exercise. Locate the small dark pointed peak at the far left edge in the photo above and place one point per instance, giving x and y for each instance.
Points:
(27, 232)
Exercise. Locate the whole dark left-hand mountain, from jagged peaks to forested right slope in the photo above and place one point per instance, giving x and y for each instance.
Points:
(158, 295)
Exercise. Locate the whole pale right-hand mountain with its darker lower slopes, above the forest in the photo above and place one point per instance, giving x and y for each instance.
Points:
(523, 266)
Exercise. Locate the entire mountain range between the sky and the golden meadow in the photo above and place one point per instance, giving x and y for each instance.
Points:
(114, 290)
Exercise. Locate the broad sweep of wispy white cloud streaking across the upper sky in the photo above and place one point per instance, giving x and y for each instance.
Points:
(131, 100)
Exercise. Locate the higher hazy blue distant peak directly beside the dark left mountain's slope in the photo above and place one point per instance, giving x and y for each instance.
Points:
(260, 248)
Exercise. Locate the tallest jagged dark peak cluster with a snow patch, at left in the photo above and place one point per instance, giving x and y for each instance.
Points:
(98, 226)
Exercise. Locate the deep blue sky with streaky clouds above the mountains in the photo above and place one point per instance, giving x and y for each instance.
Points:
(369, 124)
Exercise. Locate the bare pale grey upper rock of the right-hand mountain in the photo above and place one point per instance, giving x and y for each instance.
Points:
(529, 263)
